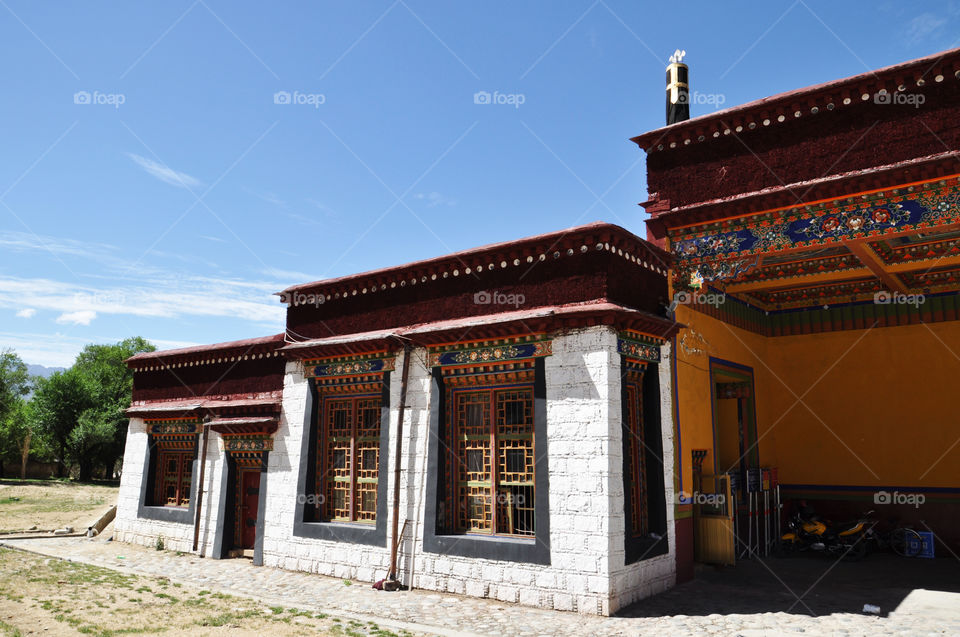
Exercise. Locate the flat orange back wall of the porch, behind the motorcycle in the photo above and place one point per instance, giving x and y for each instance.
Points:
(880, 407)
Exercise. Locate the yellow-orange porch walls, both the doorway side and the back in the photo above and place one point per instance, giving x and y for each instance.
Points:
(858, 407)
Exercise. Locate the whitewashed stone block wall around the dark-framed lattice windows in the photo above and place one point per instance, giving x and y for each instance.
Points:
(586, 572)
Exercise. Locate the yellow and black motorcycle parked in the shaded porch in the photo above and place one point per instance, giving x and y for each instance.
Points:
(807, 532)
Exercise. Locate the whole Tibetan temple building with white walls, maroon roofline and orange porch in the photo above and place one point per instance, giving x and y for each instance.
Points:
(572, 420)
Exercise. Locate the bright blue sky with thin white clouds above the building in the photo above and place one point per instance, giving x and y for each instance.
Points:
(167, 166)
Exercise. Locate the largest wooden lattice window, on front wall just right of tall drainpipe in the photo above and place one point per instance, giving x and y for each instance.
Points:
(492, 457)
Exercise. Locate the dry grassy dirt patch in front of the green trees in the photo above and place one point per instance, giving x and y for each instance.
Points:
(52, 504)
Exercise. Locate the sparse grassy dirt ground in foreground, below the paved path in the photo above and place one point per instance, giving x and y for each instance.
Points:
(40, 595)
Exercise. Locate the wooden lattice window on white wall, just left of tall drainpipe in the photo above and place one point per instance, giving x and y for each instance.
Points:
(348, 458)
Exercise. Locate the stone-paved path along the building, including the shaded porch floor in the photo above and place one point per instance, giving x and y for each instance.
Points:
(752, 600)
